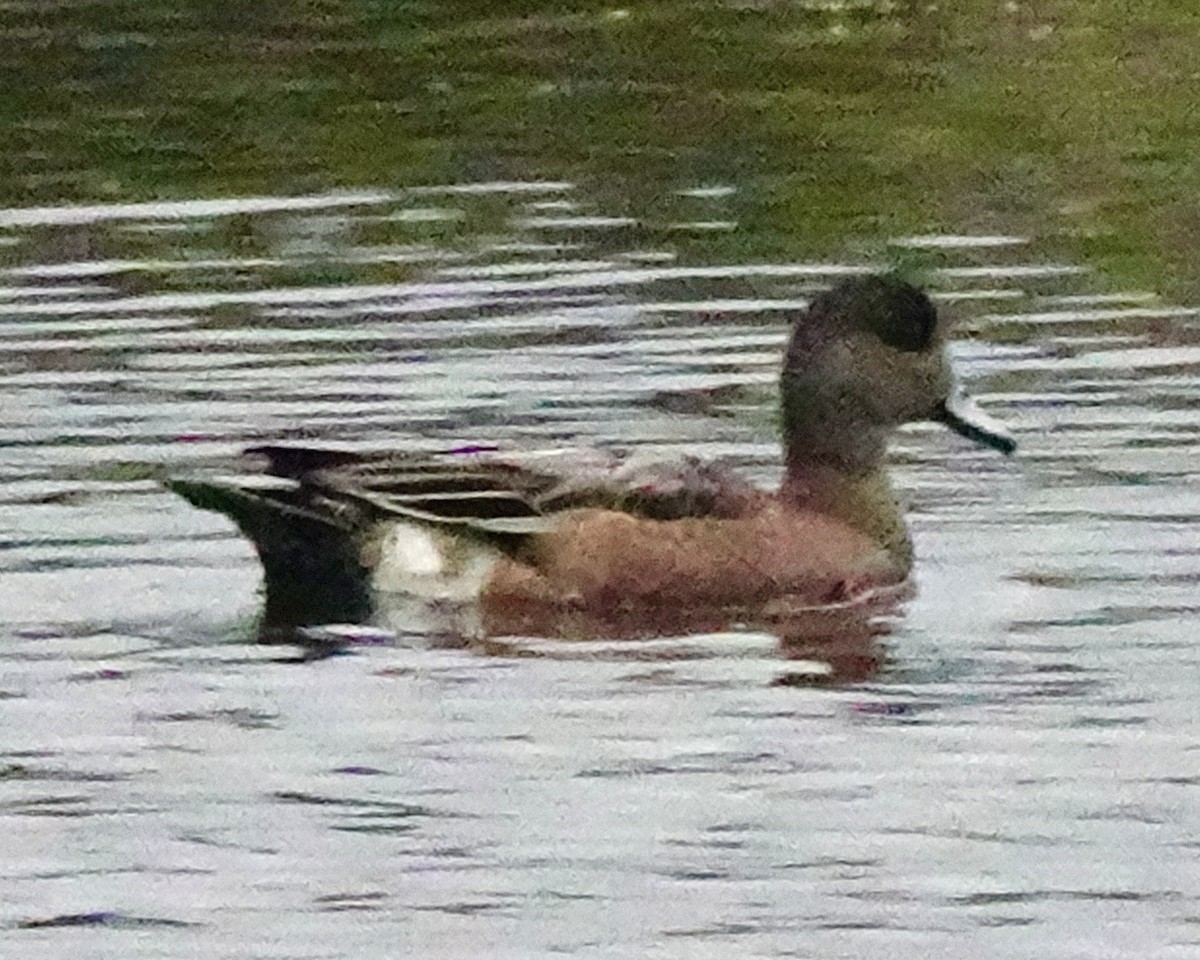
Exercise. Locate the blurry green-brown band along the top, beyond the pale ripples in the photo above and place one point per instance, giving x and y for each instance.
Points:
(1069, 122)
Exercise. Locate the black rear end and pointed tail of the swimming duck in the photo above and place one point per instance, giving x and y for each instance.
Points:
(310, 551)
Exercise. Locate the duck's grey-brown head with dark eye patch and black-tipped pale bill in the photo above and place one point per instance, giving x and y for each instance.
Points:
(866, 357)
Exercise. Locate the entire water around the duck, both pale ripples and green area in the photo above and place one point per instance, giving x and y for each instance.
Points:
(429, 227)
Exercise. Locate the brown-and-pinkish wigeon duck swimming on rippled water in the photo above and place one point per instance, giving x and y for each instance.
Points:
(537, 538)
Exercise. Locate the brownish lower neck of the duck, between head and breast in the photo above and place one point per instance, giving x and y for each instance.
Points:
(862, 500)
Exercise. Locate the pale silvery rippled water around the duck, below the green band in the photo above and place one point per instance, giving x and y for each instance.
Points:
(1011, 772)
